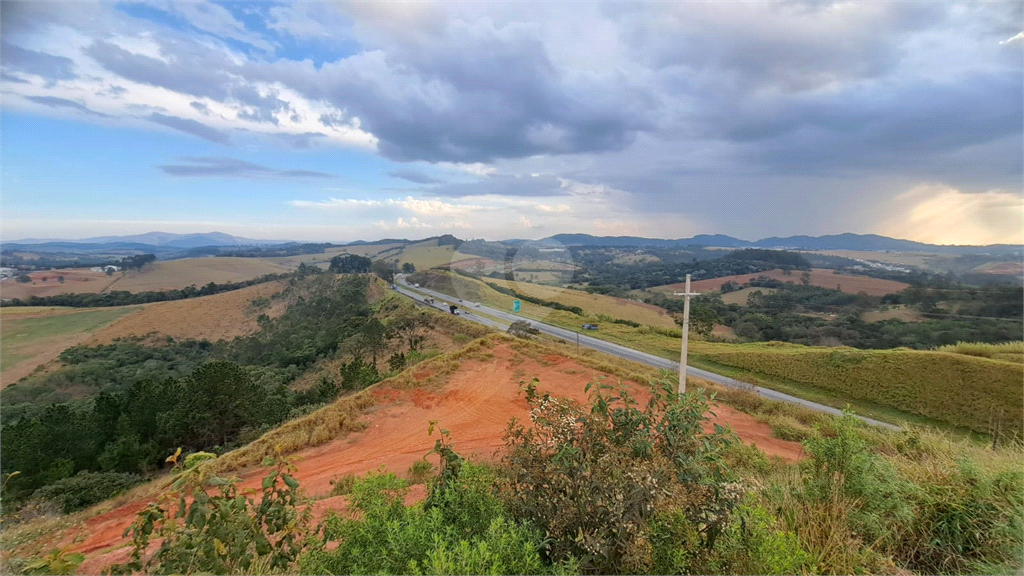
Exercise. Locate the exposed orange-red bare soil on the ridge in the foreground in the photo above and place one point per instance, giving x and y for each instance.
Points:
(475, 405)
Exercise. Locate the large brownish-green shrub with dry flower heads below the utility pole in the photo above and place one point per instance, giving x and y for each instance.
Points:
(592, 480)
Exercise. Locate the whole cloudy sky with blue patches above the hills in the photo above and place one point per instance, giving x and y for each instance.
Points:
(337, 121)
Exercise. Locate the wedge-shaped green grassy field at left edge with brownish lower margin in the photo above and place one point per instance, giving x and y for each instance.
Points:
(28, 342)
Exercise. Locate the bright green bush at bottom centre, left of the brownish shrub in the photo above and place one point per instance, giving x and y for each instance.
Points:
(464, 531)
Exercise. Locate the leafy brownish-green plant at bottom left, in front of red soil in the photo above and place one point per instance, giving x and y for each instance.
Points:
(226, 533)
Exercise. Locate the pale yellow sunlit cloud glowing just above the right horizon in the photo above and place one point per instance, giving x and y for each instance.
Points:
(941, 215)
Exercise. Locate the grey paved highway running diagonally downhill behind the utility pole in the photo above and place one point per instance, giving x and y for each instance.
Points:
(613, 349)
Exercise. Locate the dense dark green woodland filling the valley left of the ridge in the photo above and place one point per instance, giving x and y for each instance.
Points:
(144, 401)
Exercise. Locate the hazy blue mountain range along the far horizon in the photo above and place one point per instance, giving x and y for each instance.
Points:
(166, 242)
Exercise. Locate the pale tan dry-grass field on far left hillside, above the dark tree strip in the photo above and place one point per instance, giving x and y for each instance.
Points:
(176, 275)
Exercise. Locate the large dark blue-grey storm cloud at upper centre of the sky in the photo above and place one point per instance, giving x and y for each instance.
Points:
(431, 102)
